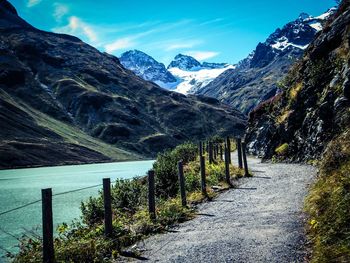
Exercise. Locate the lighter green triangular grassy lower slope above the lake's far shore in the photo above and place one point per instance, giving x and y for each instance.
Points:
(48, 141)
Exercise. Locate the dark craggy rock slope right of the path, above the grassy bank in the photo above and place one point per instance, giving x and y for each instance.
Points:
(314, 107)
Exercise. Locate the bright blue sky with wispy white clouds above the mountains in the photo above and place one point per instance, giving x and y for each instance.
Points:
(214, 31)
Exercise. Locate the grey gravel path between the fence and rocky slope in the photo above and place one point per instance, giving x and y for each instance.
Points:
(260, 221)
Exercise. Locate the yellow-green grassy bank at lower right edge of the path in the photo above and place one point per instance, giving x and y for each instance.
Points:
(328, 205)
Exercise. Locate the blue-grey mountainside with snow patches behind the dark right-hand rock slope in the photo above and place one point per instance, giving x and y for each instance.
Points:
(256, 78)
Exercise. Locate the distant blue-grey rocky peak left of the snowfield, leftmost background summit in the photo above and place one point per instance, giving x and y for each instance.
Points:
(147, 68)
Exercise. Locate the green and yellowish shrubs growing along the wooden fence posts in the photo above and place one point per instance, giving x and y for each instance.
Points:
(85, 241)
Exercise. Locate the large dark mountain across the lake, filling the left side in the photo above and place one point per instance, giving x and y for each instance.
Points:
(62, 101)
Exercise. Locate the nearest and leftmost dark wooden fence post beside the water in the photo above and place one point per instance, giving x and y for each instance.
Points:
(47, 224)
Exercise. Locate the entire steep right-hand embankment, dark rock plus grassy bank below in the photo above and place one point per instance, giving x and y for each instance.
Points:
(309, 120)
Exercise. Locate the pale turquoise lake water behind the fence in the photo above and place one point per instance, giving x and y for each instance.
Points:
(21, 186)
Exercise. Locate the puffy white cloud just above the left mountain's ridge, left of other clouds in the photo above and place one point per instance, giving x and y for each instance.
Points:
(77, 27)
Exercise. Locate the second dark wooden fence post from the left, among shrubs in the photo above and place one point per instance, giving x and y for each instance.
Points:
(107, 201)
